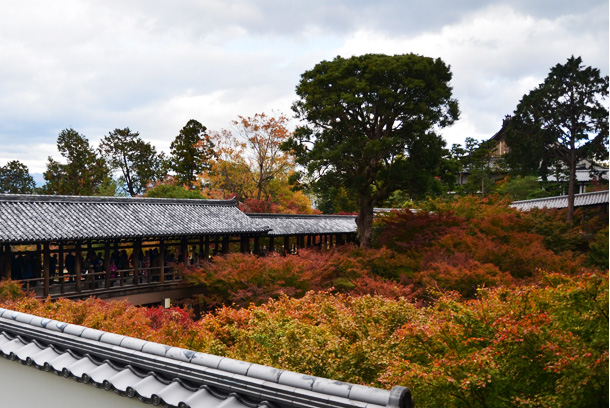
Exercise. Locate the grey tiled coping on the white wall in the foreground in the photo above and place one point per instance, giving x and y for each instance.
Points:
(169, 376)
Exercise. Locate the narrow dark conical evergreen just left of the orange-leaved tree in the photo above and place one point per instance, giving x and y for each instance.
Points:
(191, 152)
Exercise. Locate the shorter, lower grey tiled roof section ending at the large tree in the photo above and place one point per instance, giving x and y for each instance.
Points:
(299, 224)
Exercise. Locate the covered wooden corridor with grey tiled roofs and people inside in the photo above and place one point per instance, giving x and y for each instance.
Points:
(76, 247)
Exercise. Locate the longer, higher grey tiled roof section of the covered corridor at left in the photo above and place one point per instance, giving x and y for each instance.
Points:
(38, 218)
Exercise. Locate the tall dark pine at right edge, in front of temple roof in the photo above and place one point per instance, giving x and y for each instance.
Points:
(561, 122)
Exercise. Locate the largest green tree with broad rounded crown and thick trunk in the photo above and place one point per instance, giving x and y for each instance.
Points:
(371, 126)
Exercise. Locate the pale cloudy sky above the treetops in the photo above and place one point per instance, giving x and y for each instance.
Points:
(152, 65)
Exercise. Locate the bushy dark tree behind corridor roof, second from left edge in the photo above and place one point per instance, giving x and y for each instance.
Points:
(84, 173)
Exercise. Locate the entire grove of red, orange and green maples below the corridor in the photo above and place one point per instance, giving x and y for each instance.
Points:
(469, 303)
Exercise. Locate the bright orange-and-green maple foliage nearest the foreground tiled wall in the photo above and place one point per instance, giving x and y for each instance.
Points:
(530, 346)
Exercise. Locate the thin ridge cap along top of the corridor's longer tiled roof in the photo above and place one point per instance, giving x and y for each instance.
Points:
(113, 199)
